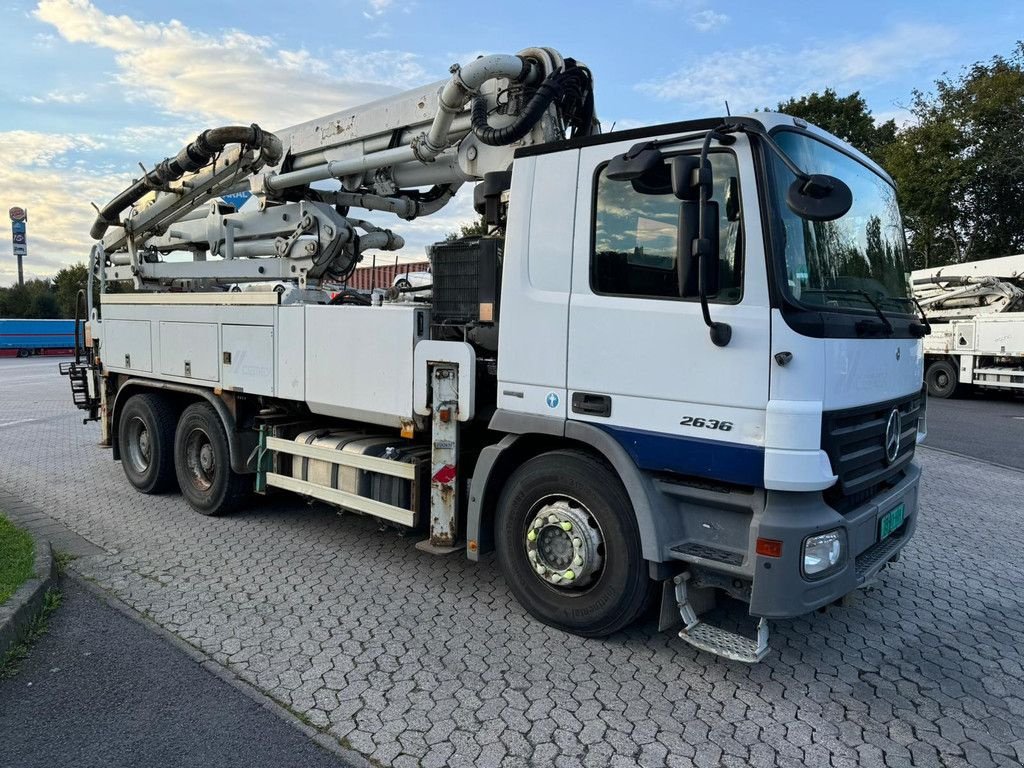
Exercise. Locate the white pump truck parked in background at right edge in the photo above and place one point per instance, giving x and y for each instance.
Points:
(977, 315)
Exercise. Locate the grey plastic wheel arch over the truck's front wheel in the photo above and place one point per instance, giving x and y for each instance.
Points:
(528, 437)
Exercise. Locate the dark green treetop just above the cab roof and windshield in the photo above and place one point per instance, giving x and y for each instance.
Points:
(846, 117)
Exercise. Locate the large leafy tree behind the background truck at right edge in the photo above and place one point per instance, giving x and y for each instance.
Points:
(961, 168)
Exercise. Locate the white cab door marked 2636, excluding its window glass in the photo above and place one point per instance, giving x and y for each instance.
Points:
(659, 350)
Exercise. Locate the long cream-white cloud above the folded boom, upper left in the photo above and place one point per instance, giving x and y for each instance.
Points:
(231, 76)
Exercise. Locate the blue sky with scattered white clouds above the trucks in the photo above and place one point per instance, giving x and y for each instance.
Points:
(91, 90)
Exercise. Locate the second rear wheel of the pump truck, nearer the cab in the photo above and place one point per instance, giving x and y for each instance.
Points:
(203, 463)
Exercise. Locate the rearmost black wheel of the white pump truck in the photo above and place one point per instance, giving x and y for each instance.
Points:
(146, 439)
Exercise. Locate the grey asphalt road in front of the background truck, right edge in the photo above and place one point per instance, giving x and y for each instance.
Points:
(988, 426)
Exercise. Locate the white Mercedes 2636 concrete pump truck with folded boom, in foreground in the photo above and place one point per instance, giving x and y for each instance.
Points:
(682, 364)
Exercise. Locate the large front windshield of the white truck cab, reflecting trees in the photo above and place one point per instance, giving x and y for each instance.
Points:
(858, 262)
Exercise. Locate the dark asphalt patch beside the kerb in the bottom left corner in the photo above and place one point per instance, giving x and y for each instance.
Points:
(100, 690)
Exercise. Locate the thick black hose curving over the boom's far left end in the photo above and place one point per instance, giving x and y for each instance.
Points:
(192, 158)
